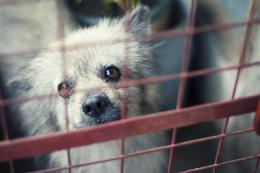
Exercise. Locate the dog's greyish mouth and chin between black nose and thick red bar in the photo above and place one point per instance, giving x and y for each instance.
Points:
(111, 113)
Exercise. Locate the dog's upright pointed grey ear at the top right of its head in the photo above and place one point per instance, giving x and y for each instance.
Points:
(138, 21)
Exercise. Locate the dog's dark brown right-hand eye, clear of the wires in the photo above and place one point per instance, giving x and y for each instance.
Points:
(111, 74)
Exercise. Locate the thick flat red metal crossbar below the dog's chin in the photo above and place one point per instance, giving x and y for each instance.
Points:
(34, 145)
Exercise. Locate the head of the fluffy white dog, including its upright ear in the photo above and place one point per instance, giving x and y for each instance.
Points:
(85, 72)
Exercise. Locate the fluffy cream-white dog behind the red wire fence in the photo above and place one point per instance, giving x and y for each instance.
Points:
(92, 58)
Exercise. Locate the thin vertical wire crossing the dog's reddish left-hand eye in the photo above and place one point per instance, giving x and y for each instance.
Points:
(61, 35)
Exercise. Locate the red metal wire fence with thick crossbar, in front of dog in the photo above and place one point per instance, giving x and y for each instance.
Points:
(173, 119)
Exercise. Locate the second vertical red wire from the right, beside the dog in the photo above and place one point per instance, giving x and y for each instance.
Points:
(184, 69)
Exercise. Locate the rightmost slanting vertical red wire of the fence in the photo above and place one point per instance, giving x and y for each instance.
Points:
(241, 62)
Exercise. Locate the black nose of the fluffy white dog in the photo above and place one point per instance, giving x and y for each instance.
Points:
(94, 106)
